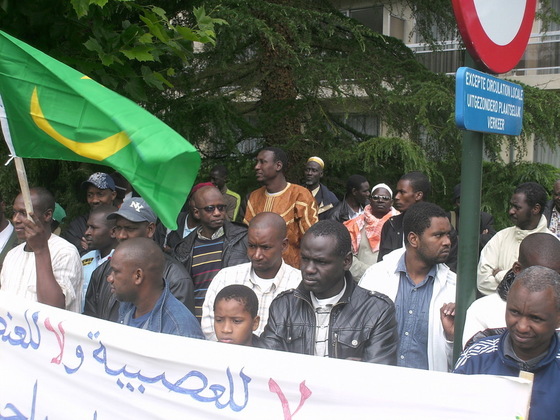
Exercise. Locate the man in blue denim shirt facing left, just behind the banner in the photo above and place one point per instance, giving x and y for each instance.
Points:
(137, 281)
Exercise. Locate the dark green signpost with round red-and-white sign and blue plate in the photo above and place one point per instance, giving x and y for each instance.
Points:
(484, 104)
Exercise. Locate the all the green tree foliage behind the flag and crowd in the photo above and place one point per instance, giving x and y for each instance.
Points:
(280, 72)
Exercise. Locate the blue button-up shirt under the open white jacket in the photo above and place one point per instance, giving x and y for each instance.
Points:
(413, 313)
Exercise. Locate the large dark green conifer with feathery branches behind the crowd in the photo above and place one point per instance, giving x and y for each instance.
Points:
(288, 72)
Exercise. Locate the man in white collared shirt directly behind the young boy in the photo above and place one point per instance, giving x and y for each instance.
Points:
(267, 273)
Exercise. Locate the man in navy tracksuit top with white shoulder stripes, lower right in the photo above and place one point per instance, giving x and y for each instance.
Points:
(530, 343)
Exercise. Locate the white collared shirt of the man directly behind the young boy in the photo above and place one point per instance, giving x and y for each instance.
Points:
(287, 278)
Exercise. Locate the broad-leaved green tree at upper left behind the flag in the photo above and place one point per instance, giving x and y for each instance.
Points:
(129, 46)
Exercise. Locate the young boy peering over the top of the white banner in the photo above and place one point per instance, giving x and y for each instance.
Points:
(235, 315)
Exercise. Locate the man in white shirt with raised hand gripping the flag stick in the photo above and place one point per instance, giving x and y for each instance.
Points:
(45, 268)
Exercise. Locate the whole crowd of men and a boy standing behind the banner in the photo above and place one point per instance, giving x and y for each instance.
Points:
(370, 277)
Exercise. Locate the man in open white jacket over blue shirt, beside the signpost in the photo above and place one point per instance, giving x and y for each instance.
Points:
(422, 287)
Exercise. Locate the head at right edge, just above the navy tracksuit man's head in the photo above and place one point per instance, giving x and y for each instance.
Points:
(540, 249)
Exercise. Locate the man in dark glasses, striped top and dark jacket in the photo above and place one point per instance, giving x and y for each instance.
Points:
(215, 244)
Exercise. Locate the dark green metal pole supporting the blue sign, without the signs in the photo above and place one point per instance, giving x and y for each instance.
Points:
(469, 227)
